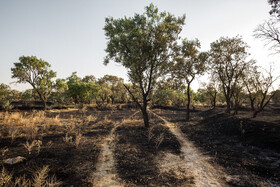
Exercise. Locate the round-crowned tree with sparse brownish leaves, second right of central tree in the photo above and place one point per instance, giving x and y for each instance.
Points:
(228, 62)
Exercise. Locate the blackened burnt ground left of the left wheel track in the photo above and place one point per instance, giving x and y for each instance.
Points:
(72, 165)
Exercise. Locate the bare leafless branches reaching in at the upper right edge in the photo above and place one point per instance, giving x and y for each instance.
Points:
(269, 32)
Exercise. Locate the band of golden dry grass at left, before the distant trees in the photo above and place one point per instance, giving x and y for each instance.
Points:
(36, 124)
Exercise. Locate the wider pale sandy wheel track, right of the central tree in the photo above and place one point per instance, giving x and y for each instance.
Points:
(191, 160)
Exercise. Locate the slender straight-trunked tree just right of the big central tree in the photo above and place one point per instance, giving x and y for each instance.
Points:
(187, 65)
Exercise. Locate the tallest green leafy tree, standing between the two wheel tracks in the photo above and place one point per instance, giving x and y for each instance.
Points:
(144, 45)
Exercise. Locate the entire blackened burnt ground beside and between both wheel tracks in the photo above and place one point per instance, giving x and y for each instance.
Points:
(247, 149)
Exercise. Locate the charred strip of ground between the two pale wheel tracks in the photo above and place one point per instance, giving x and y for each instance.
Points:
(135, 156)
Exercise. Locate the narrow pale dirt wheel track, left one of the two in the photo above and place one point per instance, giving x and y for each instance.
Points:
(105, 174)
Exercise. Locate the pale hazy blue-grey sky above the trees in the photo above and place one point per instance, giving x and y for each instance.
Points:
(69, 33)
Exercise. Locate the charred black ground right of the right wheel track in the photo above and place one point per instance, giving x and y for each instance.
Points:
(248, 149)
